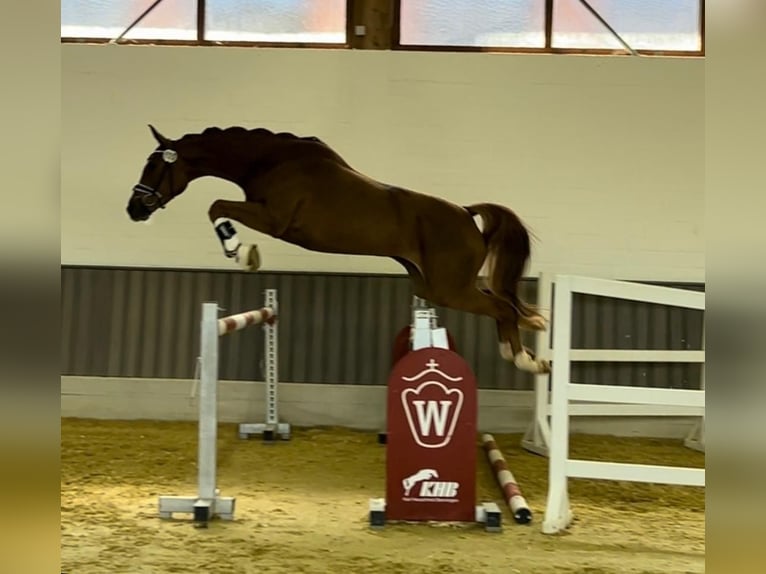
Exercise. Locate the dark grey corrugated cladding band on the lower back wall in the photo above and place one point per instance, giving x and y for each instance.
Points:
(332, 329)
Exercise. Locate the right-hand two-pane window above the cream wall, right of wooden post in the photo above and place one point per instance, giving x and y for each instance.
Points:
(575, 25)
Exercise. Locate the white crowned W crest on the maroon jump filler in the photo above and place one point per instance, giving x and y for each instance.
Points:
(432, 408)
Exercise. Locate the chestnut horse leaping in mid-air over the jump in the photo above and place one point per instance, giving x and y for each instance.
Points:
(299, 190)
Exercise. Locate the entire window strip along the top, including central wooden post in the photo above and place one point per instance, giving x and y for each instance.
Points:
(546, 26)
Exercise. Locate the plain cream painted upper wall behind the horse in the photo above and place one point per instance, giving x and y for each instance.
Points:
(603, 157)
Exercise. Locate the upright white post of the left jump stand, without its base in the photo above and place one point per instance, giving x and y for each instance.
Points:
(208, 401)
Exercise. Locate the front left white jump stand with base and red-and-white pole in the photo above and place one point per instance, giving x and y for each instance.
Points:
(208, 504)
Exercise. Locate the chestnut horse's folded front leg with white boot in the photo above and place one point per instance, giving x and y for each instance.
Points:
(252, 215)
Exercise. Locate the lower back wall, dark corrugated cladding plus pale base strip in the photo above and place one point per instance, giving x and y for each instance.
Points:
(130, 339)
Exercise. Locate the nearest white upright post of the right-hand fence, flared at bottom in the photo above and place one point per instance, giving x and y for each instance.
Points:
(557, 510)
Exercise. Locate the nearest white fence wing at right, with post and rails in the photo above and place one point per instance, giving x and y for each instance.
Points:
(557, 514)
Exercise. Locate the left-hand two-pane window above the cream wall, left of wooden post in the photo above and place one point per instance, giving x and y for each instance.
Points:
(222, 21)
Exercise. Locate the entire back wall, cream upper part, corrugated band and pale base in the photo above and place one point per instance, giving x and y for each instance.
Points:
(601, 156)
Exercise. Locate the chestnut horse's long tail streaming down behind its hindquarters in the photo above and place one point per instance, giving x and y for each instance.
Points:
(508, 251)
